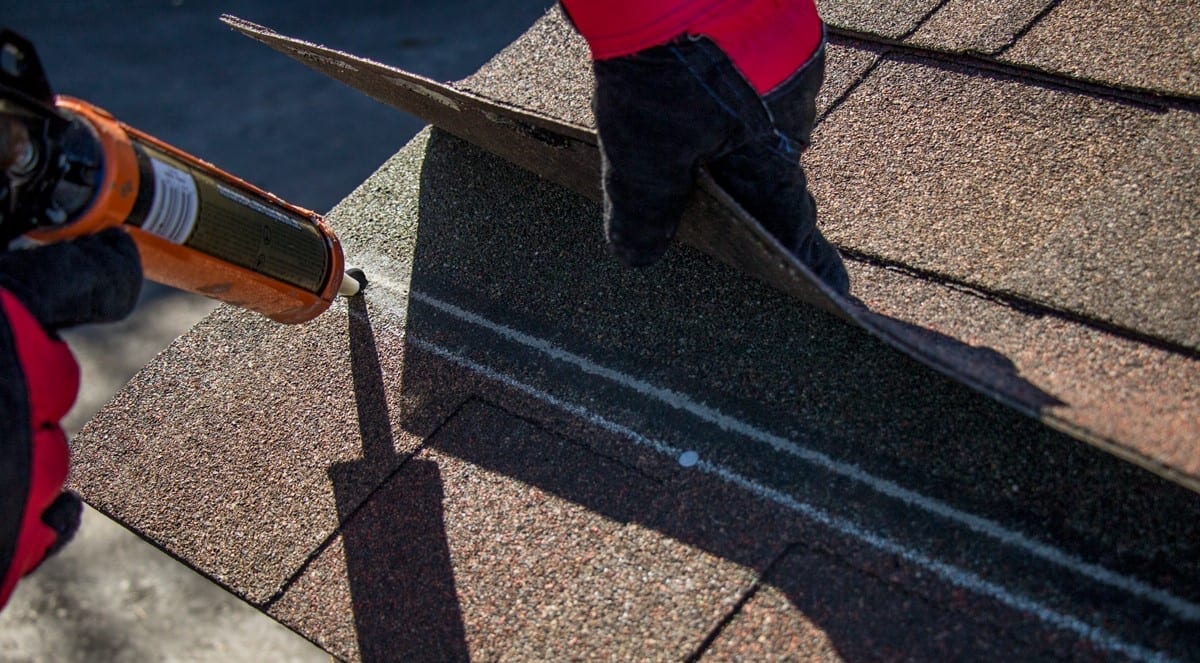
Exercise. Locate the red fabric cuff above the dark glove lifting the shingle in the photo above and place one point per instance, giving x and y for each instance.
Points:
(767, 40)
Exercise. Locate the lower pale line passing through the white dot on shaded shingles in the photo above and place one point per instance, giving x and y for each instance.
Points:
(950, 574)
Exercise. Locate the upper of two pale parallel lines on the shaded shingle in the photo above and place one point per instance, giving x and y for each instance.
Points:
(1180, 607)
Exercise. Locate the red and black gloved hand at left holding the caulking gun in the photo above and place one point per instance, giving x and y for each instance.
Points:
(43, 290)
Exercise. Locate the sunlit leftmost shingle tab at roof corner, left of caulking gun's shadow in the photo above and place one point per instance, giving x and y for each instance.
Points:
(229, 469)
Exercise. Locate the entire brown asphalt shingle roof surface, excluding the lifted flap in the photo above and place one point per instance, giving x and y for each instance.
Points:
(482, 455)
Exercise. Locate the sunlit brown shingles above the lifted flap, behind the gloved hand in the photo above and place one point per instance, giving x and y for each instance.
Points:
(1057, 202)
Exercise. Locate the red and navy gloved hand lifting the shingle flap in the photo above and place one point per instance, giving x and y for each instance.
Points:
(729, 87)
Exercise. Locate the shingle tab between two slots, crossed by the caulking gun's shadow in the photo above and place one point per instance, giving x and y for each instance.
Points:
(506, 541)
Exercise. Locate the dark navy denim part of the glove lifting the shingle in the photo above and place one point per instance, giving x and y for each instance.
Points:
(669, 110)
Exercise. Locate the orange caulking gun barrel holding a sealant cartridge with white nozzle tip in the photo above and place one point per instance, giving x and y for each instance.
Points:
(202, 230)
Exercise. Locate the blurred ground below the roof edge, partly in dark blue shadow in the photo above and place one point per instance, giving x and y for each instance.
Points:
(171, 69)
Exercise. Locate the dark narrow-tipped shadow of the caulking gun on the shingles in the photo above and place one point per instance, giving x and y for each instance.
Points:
(398, 560)
